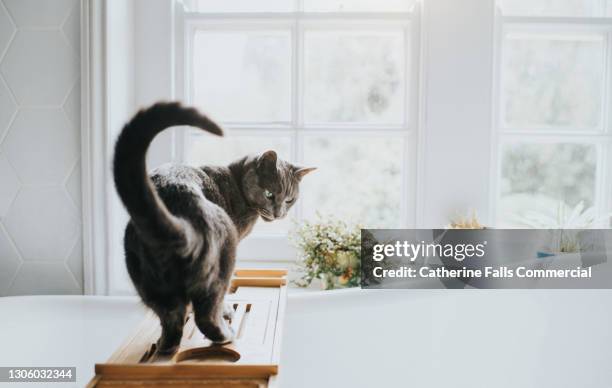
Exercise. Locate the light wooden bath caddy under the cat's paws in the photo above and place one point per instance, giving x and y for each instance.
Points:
(252, 360)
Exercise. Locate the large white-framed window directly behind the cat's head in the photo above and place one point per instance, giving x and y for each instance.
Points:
(329, 84)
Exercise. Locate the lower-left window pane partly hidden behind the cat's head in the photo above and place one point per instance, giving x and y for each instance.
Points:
(211, 150)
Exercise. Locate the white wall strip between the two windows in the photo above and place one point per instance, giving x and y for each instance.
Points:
(456, 136)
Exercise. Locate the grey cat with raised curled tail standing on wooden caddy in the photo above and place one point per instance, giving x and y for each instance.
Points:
(186, 222)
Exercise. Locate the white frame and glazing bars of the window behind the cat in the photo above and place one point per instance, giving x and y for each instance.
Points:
(276, 247)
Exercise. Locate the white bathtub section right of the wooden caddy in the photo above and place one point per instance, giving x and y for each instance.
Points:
(449, 338)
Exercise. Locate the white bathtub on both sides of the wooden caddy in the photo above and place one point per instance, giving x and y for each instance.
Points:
(355, 338)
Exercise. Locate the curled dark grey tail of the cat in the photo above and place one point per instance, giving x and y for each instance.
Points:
(150, 216)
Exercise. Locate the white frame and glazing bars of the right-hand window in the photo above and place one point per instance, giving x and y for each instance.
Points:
(601, 136)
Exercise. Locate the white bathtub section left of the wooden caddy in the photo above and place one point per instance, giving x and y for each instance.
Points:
(64, 331)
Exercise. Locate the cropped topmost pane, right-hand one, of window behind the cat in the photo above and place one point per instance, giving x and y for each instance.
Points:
(358, 5)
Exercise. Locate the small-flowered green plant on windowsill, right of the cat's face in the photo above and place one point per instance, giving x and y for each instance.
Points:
(330, 251)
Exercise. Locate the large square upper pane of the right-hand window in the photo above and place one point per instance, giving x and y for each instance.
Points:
(553, 81)
